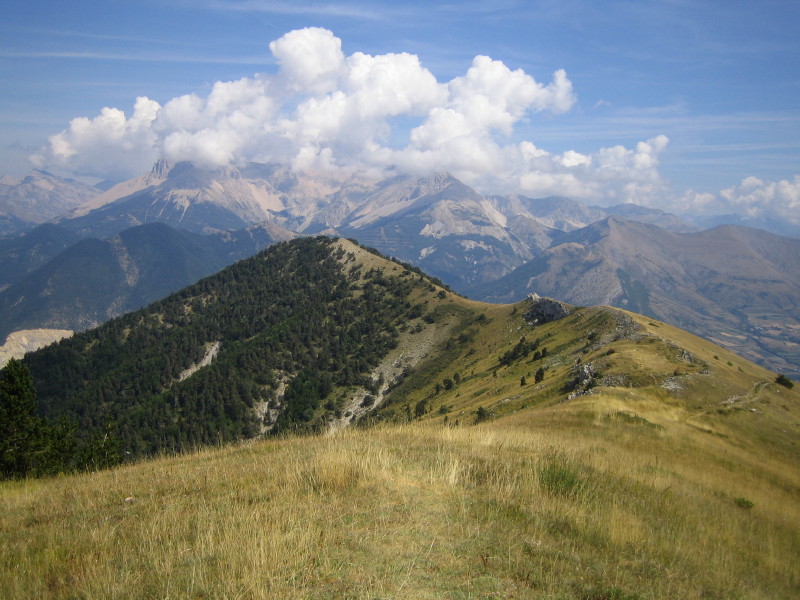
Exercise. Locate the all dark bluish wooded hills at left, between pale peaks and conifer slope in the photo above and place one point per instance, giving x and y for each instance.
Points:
(94, 280)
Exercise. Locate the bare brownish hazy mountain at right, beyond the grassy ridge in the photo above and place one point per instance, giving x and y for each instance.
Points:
(737, 286)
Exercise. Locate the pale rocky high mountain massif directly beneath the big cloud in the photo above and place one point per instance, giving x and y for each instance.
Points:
(434, 221)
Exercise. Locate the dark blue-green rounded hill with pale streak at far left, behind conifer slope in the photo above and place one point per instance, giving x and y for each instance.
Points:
(95, 280)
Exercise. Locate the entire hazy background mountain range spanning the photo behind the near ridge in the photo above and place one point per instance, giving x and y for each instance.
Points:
(489, 247)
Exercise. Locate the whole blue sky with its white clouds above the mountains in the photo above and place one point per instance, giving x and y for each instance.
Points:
(711, 89)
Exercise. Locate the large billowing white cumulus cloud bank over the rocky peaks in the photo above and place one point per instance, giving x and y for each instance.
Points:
(324, 109)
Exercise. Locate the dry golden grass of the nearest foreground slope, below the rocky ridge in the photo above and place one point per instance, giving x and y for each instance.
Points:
(569, 502)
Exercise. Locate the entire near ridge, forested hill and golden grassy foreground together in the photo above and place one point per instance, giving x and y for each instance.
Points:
(531, 450)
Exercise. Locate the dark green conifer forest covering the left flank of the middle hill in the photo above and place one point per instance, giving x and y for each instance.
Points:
(298, 312)
